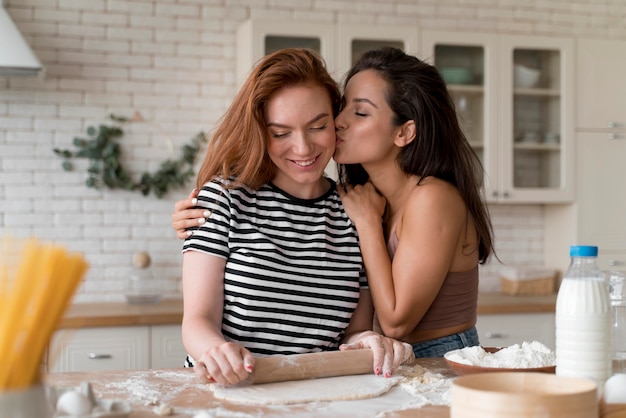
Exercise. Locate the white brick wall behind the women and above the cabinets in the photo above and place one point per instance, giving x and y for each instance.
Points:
(174, 61)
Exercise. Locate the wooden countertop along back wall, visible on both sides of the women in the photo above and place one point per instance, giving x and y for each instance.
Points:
(170, 311)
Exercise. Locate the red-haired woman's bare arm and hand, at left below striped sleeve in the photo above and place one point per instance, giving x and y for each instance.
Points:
(203, 294)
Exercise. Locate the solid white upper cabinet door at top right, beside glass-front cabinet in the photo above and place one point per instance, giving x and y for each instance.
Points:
(601, 85)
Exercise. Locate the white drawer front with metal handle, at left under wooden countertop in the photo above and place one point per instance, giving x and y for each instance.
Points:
(94, 349)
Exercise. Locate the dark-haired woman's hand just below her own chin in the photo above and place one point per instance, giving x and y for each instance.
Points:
(362, 203)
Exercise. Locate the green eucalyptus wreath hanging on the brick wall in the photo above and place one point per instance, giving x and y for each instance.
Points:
(105, 168)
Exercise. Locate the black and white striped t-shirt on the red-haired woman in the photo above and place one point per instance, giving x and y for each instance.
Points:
(293, 270)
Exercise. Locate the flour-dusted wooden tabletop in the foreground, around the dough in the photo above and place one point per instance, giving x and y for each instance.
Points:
(180, 389)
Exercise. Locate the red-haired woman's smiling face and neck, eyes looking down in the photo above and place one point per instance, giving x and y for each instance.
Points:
(301, 134)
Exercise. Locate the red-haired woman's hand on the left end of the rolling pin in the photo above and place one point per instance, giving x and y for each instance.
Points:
(226, 364)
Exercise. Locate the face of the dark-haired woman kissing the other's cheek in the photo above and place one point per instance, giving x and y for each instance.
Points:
(365, 130)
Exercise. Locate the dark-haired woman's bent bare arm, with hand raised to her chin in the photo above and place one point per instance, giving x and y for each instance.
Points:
(433, 219)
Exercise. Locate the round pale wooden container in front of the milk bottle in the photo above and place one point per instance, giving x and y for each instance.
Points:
(522, 395)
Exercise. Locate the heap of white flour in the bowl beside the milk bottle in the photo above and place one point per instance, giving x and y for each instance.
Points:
(527, 355)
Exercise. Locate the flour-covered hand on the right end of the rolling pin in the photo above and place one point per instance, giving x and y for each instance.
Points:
(389, 353)
